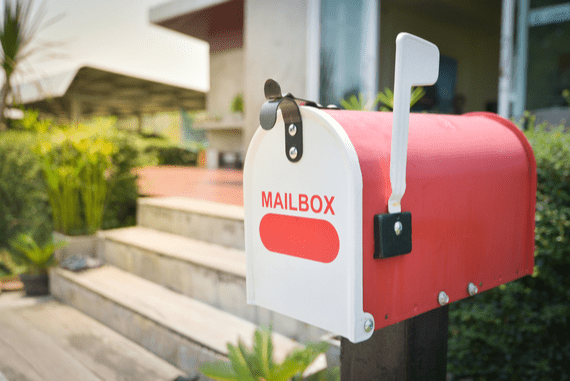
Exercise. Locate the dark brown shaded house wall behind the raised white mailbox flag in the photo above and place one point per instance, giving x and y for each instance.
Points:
(475, 46)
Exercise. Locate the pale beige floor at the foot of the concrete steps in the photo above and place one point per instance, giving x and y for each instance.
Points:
(43, 340)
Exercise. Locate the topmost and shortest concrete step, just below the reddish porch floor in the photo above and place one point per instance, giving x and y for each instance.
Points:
(202, 220)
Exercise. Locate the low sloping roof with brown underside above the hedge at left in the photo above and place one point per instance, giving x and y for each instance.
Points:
(92, 91)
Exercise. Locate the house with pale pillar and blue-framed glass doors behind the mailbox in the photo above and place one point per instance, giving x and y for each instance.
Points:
(326, 50)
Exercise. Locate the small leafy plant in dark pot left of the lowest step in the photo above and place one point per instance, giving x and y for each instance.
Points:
(34, 262)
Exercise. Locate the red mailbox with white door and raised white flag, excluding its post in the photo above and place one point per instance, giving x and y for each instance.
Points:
(373, 214)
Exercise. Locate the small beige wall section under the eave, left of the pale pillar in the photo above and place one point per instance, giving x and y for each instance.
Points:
(226, 81)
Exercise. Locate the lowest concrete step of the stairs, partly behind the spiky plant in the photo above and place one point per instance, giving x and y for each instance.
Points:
(183, 331)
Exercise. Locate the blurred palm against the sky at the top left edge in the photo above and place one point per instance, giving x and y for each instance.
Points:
(18, 28)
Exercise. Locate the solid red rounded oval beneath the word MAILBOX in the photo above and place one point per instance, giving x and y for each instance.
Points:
(308, 238)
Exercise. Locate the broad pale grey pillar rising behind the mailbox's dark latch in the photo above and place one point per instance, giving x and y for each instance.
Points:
(275, 47)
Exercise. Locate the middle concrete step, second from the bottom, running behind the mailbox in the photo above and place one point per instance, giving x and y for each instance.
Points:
(207, 272)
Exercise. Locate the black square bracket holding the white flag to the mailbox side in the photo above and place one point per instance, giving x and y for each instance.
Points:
(392, 234)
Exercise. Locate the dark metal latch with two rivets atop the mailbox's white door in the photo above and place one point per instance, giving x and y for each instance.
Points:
(291, 116)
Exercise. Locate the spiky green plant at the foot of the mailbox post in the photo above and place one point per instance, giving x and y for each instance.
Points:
(258, 364)
